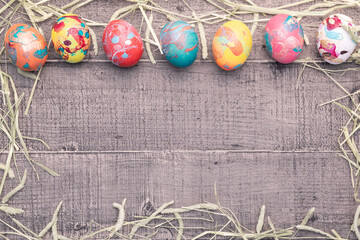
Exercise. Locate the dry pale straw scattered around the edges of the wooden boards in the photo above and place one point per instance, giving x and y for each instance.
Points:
(215, 220)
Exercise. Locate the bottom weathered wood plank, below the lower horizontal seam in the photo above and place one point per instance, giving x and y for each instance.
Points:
(289, 184)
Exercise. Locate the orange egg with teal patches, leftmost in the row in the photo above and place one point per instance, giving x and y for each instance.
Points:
(26, 47)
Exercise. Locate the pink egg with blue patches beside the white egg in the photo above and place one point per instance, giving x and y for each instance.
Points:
(284, 38)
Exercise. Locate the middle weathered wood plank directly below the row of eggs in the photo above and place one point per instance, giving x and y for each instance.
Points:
(100, 107)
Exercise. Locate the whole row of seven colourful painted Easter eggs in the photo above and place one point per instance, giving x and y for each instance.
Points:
(232, 42)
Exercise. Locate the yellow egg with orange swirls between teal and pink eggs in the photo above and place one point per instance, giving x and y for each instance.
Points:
(232, 45)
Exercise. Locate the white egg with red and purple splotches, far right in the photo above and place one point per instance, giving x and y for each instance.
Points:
(334, 43)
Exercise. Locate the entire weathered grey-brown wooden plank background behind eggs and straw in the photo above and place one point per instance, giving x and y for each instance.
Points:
(155, 133)
